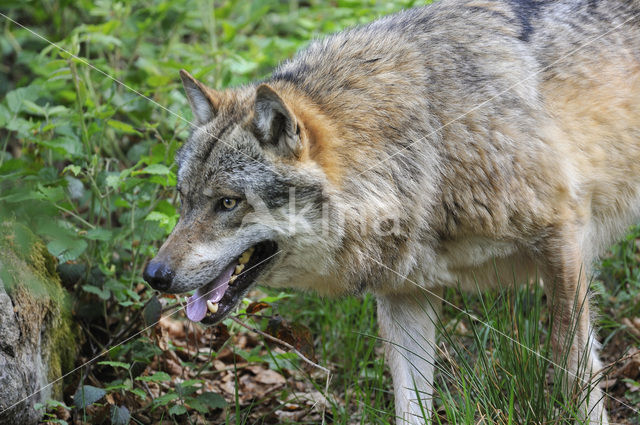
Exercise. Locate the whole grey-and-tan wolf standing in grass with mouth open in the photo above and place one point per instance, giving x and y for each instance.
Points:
(465, 143)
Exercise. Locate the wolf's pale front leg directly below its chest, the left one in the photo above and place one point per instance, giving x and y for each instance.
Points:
(408, 323)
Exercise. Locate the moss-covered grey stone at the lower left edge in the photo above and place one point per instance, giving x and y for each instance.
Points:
(38, 338)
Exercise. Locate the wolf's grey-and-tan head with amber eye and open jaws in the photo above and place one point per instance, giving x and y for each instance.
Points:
(251, 200)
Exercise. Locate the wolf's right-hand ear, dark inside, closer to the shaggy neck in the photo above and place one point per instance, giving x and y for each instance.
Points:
(276, 123)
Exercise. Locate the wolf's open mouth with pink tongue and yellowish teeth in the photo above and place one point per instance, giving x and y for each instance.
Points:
(213, 301)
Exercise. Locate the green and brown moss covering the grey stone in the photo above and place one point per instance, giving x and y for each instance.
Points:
(43, 306)
